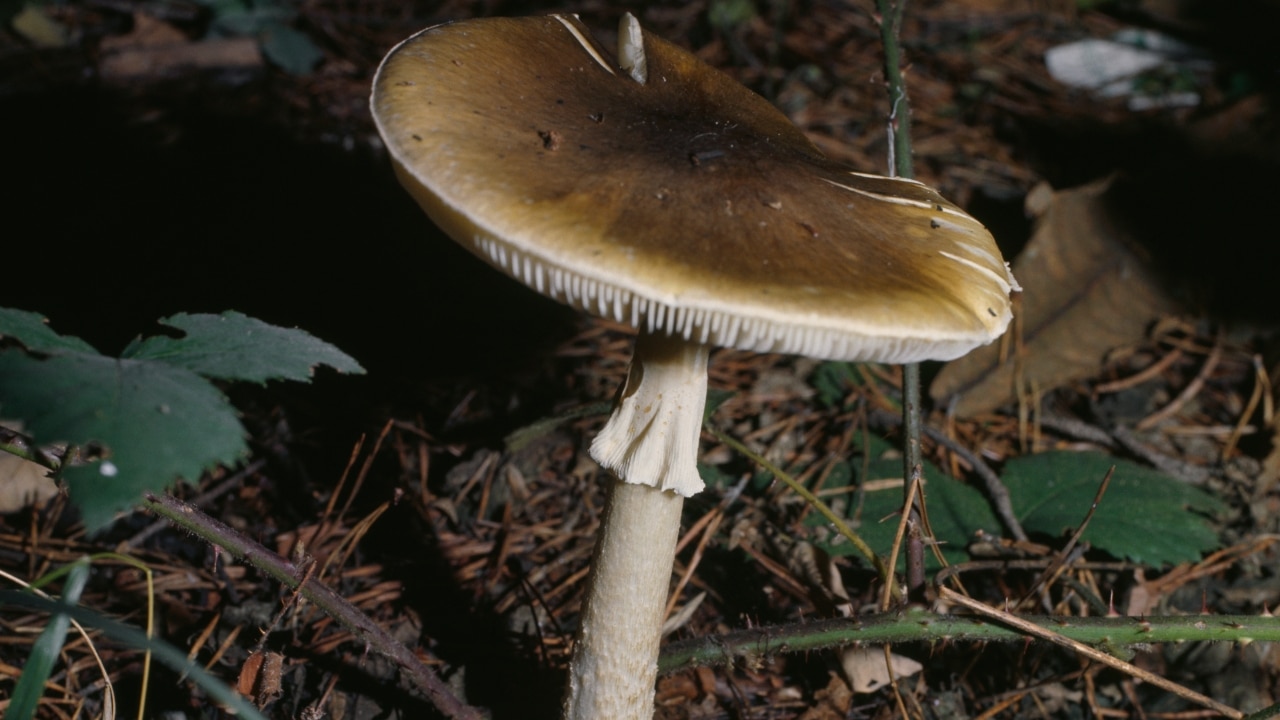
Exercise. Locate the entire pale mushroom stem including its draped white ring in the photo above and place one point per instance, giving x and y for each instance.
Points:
(651, 445)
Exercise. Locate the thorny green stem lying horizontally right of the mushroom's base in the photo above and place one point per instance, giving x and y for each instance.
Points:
(918, 625)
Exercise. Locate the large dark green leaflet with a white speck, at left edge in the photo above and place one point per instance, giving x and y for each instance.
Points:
(158, 423)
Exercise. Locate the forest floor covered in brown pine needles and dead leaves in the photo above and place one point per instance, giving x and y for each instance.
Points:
(152, 171)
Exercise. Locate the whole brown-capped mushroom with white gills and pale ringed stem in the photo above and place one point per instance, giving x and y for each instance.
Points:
(664, 194)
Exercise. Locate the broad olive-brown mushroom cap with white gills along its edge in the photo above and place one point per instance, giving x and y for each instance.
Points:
(687, 206)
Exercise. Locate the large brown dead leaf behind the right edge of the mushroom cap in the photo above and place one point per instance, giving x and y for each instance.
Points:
(1086, 294)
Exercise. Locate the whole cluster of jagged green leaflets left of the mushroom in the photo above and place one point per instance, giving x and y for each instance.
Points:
(154, 414)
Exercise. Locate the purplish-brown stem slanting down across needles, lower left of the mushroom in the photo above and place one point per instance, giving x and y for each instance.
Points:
(195, 522)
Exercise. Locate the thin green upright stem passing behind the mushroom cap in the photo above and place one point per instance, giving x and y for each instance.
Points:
(900, 166)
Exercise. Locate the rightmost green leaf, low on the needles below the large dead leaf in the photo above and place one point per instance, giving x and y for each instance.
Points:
(1145, 516)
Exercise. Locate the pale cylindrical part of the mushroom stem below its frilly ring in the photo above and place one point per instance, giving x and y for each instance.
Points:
(616, 659)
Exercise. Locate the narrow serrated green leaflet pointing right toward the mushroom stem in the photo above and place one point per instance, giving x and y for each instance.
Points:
(237, 348)
